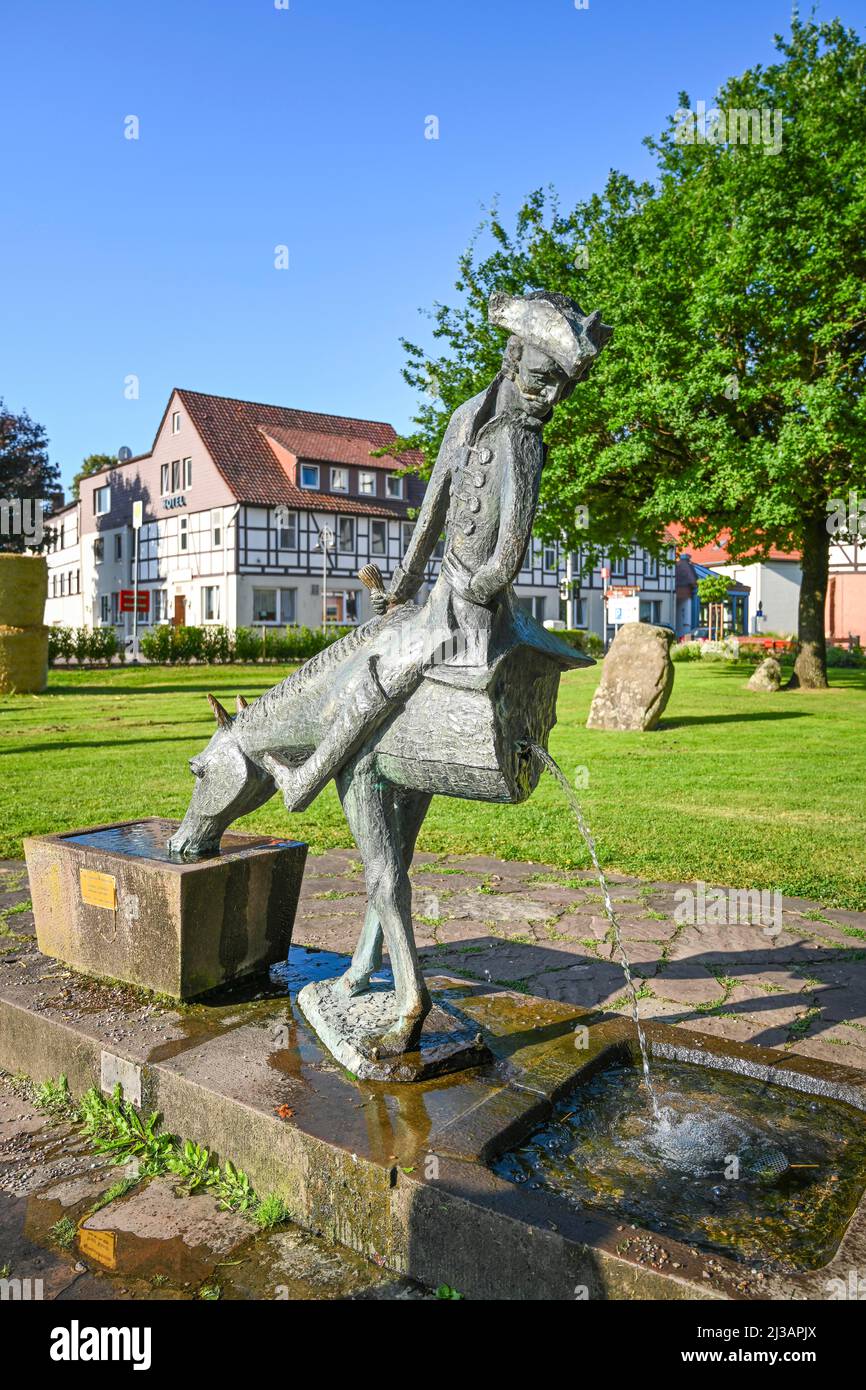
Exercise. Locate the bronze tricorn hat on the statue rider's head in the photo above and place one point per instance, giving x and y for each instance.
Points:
(553, 323)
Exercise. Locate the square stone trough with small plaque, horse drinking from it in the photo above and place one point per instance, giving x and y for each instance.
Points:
(111, 901)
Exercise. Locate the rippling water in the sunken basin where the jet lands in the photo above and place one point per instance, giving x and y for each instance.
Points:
(757, 1172)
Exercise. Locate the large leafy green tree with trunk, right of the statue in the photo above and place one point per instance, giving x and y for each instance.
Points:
(732, 397)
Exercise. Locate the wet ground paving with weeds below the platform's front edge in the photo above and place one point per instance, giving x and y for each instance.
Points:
(154, 1242)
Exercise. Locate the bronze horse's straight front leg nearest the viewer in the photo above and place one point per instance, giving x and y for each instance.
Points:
(375, 812)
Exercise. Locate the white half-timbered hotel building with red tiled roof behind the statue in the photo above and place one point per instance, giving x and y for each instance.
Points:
(236, 500)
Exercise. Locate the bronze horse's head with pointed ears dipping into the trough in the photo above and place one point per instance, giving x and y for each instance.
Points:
(229, 785)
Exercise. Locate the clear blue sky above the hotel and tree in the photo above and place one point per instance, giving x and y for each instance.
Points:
(301, 127)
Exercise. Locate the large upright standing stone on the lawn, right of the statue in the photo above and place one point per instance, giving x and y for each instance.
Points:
(637, 679)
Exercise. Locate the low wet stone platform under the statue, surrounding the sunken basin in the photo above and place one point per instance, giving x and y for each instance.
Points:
(405, 1174)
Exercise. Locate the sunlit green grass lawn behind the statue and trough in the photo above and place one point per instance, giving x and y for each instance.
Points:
(739, 789)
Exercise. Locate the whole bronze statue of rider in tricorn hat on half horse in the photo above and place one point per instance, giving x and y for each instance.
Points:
(443, 698)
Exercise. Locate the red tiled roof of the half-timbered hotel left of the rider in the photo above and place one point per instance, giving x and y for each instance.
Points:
(236, 433)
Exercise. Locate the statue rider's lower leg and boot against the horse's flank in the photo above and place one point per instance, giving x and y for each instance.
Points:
(363, 708)
